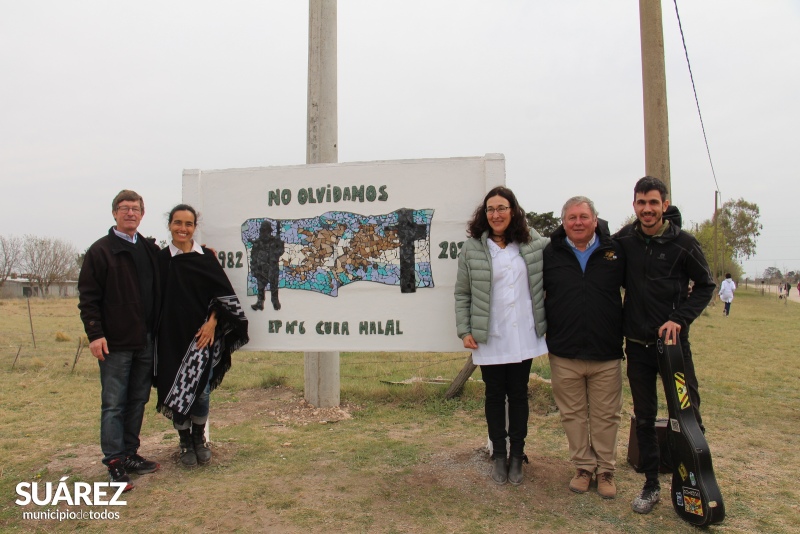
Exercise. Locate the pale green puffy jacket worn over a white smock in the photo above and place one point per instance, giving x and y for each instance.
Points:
(473, 290)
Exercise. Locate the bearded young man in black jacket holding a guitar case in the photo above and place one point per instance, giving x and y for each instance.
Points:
(661, 259)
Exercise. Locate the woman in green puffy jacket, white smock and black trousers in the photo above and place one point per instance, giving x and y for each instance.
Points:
(500, 316)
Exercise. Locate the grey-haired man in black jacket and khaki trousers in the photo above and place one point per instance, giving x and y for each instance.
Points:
(583, 274)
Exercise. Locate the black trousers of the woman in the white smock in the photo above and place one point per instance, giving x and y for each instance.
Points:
(507, 380)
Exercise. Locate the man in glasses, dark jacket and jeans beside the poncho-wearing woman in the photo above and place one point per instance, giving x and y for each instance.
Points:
(119, 300)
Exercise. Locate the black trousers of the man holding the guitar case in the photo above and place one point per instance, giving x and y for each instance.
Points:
(643, 378)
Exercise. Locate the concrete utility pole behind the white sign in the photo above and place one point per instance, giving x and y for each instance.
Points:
(322, 382)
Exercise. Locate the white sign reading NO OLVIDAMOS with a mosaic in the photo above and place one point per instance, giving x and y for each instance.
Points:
(347, 256)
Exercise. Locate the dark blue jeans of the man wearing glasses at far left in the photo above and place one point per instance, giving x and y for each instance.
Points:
(126, 378)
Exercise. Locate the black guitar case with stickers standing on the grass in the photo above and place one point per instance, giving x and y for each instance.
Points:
(695, 494)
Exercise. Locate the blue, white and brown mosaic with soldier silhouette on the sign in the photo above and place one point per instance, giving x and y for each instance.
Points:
(337, 248)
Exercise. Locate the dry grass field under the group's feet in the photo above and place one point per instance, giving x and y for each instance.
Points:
(392, 458)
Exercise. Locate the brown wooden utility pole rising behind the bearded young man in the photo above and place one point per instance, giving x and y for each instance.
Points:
(654, 91)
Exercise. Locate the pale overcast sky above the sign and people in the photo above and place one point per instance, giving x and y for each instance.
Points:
(97, 96)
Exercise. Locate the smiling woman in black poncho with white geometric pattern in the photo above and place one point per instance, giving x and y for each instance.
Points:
(201, 324)
